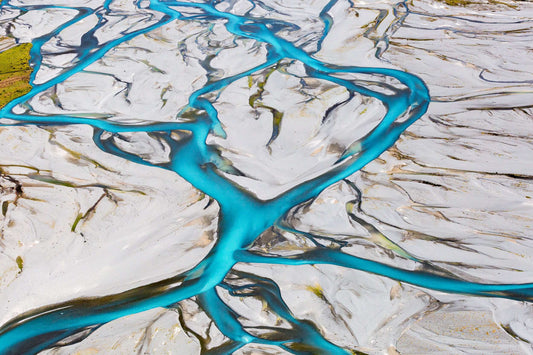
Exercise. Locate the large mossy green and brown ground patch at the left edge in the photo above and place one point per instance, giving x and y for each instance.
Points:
(14, 73)
